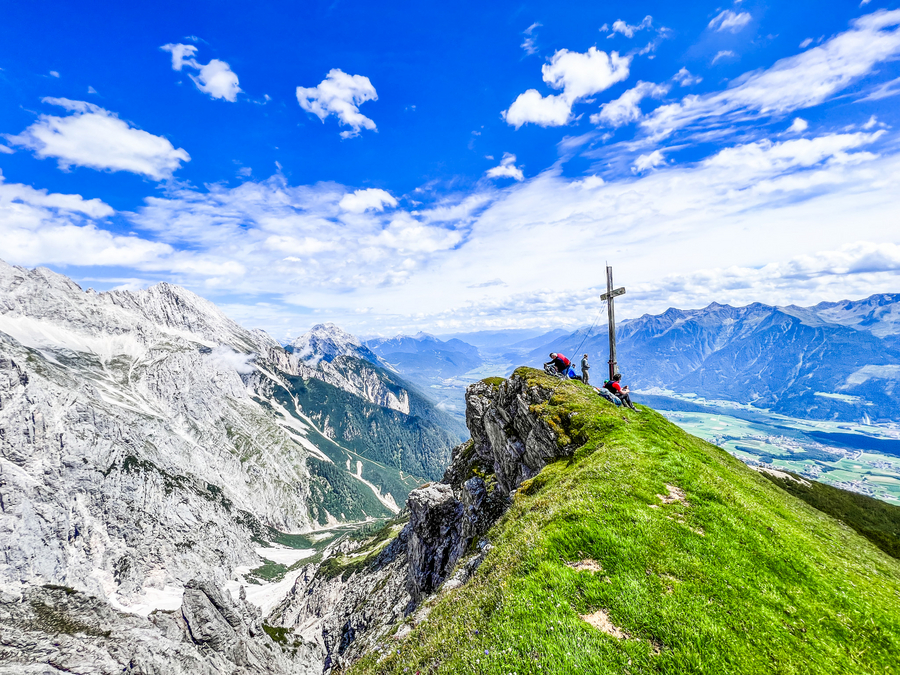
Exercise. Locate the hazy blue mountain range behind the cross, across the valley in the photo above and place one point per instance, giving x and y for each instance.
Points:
(838, 360)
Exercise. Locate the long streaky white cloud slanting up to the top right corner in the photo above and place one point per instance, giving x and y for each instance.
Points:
(793, 83)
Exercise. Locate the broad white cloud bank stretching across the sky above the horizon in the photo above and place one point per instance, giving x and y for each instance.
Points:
(735, 212)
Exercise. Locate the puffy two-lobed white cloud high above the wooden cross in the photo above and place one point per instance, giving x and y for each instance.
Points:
(578, 75)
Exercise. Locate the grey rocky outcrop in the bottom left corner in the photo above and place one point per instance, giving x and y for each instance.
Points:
(55, 629)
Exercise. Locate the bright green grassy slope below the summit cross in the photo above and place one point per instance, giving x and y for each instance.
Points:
(772, 585)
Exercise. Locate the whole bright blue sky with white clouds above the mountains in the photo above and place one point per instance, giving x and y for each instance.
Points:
(454, 167)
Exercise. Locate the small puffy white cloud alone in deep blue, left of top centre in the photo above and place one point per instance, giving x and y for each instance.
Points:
(341, 95)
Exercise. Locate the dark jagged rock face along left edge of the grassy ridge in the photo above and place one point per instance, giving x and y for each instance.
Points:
(357, 604)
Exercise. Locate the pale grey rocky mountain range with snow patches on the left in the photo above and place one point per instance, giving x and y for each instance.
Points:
(146, 440)
